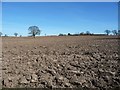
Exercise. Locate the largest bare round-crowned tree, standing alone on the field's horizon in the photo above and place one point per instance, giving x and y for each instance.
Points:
(34, 30)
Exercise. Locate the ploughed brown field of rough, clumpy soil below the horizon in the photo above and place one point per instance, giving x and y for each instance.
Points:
(59, 62)
